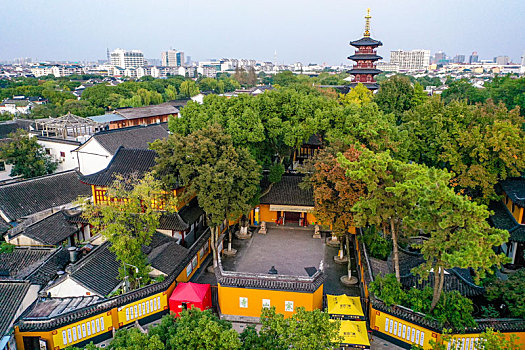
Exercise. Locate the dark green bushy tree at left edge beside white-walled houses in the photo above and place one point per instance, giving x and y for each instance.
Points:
(27, 156)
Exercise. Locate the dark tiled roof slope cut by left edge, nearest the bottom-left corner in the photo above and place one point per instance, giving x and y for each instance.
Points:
(11, 295)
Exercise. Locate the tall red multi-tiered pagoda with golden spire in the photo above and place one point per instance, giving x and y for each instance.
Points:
(365, 57)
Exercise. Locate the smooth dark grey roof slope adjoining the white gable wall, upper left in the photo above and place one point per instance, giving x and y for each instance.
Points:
(133, 137)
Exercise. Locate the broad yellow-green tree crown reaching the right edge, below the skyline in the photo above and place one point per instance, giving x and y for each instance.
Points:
(481, 144)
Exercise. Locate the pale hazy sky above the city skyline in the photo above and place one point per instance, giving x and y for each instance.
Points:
(299, 30)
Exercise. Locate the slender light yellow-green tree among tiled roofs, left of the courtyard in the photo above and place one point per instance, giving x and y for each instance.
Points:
(126, 222)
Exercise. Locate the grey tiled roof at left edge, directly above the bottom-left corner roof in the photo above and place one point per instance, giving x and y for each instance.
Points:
(37, 264)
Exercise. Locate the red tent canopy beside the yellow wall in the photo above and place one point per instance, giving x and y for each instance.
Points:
(189, 295)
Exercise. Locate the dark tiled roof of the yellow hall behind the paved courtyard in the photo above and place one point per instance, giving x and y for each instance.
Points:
(287, 192)
